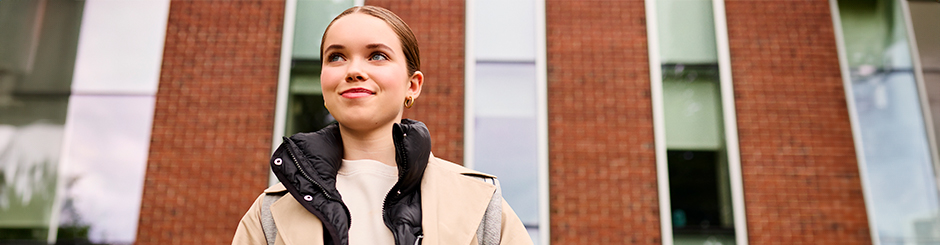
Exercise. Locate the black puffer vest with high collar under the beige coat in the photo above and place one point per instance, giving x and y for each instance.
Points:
(307, 163)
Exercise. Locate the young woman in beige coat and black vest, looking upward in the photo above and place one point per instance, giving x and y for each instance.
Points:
(371, 178)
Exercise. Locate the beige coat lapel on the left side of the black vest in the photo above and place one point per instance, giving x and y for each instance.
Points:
(303, 227)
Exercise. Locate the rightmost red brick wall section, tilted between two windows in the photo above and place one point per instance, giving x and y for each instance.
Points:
(801, 179)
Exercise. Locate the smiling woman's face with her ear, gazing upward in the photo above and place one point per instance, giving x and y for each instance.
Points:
(365, 76)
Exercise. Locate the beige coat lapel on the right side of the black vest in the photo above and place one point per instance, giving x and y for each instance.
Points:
(452, 204)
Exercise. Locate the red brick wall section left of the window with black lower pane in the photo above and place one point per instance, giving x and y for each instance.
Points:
(602, 161)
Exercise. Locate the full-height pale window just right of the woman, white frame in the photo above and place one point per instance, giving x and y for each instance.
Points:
(503, 105)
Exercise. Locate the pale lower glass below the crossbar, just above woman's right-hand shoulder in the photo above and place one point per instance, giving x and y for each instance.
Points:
(505, 134)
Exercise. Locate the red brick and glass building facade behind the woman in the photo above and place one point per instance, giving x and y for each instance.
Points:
(608, 122)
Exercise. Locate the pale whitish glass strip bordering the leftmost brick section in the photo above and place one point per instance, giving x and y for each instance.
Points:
(110, 113)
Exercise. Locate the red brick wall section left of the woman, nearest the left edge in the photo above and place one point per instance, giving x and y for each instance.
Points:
(213, 120)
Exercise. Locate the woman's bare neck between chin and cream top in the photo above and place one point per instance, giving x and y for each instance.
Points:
(376, 144)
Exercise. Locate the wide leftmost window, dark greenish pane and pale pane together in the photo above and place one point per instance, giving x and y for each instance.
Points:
(77, 87)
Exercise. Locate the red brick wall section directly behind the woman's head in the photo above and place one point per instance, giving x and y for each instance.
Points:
(439, 27)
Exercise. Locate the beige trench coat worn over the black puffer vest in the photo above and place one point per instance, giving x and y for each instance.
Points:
(452, 207)
